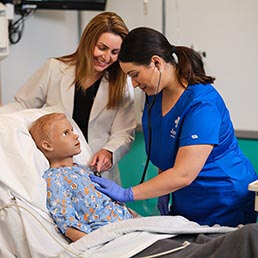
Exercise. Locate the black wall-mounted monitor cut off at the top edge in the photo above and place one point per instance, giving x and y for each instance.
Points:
(64, 4)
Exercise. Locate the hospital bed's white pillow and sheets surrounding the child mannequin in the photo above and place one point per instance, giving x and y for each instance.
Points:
(27, 230)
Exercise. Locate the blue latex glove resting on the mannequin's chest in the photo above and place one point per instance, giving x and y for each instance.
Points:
(113, 190)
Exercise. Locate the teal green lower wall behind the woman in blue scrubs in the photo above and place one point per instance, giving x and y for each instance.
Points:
(132, 165)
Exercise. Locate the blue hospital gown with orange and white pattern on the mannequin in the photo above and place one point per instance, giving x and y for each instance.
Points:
(73, 201)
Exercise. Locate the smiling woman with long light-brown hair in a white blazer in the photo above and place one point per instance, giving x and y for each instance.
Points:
(111, 115)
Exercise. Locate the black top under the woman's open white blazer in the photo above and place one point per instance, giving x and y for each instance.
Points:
(83, 101)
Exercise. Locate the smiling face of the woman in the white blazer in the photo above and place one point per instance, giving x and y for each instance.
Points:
(106, 51)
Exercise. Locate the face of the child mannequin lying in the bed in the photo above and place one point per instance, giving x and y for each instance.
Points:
(63, 141)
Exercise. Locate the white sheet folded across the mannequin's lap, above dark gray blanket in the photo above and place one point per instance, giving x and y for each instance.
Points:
(126, 238)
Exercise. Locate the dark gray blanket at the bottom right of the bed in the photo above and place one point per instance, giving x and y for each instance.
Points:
(242, 243)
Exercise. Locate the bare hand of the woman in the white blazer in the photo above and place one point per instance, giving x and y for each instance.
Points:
(102, 160)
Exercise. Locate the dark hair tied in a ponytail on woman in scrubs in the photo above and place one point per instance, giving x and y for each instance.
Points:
(142, 43)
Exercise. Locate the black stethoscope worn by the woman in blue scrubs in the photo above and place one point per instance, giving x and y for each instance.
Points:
(149, 107)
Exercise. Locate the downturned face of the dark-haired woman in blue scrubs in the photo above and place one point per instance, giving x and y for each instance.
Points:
(143, 76)
